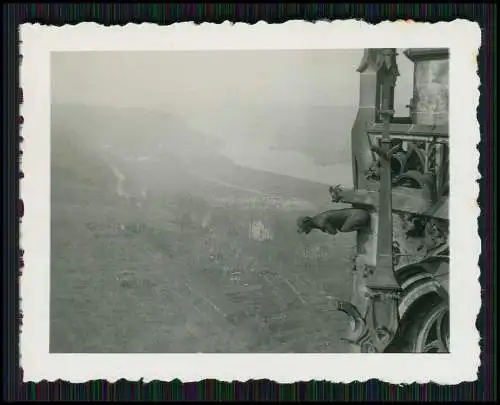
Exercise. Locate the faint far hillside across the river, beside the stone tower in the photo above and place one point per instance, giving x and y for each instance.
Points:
(321, 133)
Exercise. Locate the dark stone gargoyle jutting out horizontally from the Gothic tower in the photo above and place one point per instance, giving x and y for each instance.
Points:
(334, 221)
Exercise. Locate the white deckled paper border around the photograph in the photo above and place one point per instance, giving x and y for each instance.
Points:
(462, 37)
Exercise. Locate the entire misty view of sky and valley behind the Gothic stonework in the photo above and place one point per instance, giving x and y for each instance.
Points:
(177, 179)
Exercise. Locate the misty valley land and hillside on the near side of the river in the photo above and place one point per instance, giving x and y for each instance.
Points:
(162, 248)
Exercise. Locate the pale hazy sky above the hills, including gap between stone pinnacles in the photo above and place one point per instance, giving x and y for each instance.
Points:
(168, 80)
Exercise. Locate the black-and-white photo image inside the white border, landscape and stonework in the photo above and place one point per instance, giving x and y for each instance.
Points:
(249, 201)
